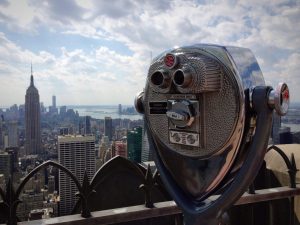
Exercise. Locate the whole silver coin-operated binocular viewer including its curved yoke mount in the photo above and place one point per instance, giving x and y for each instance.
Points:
(208, 116)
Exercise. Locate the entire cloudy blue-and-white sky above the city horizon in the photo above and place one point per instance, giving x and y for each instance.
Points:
(97, 52)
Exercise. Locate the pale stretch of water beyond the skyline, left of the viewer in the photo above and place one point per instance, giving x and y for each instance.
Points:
(101, 111)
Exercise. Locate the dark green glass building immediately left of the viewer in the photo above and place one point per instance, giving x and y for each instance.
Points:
(134, 144)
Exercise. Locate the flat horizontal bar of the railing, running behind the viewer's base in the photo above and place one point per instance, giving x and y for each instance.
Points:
(140, 212)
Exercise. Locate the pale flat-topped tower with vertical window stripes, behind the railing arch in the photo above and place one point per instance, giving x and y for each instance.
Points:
(76, 153)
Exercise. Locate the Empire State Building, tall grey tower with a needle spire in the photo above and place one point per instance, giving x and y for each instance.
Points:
(32, 120)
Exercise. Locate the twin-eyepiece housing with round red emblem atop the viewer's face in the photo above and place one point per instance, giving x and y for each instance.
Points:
(181, 73)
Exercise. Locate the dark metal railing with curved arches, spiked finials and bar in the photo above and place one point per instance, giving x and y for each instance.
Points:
(148, 210)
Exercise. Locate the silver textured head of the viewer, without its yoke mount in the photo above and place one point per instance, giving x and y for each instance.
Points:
(194, 101)
